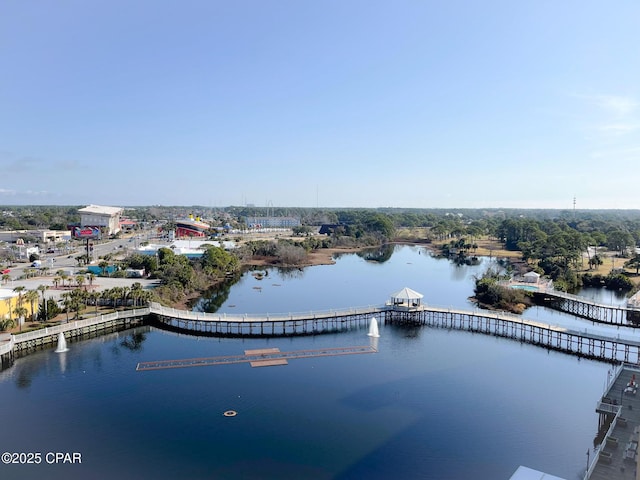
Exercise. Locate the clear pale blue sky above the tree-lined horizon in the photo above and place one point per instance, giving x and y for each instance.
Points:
(320, 103)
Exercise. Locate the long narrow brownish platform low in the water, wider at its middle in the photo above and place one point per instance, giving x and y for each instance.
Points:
(257, 358)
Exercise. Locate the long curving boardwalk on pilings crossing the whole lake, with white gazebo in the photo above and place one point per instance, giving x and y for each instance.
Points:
(598, 345)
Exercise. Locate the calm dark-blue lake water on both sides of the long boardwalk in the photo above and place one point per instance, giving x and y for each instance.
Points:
(432, 404)
